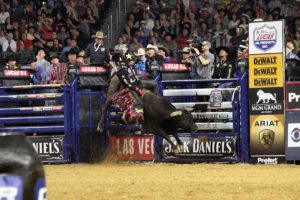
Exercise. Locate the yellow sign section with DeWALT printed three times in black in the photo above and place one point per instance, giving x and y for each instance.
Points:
(265, 71)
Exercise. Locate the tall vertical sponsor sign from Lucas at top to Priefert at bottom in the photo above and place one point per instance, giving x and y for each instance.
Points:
(266, 91)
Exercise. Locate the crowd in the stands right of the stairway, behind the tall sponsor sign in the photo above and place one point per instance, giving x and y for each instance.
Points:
(173, 24)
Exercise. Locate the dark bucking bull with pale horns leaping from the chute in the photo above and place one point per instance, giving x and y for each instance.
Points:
(160, 116)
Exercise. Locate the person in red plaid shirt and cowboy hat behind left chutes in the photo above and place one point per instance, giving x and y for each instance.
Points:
(57, 70)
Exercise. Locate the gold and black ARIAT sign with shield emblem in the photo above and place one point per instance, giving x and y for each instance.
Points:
(267, 135)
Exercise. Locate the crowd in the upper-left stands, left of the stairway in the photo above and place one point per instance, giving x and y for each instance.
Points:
(55, 25)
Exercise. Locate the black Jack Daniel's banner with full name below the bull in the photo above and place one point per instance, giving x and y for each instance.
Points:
(203, 146)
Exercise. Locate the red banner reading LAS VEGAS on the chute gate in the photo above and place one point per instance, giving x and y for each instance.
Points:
(132, 147)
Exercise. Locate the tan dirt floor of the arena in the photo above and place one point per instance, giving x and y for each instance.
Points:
(145, 181)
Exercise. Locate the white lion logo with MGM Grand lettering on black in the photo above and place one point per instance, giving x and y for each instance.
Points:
(266, 102)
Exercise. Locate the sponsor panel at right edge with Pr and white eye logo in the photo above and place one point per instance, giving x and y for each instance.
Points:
(292, 128)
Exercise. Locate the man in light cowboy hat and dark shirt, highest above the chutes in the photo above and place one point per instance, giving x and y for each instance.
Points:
(96, 51)
